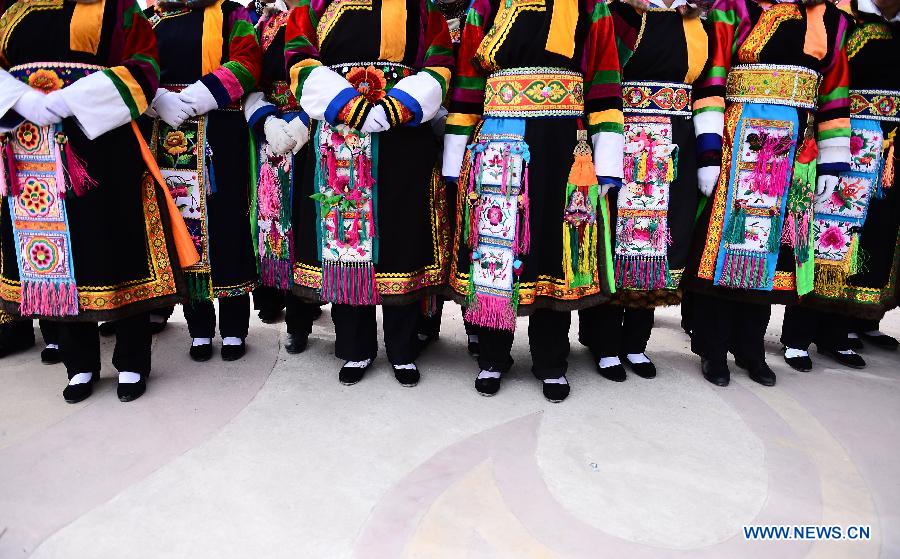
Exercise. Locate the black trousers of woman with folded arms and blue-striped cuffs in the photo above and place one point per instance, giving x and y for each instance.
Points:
(356, 332)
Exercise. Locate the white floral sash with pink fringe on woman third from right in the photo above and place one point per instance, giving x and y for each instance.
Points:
(642, 232)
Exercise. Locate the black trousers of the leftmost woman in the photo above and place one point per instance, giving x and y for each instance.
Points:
(79, 343)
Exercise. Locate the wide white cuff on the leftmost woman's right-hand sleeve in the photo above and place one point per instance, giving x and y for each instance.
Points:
(96, 104)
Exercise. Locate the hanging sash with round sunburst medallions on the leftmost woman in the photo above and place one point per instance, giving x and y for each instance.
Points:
(40, 225)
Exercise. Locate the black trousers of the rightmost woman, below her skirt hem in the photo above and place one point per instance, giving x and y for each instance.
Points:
(804, 326)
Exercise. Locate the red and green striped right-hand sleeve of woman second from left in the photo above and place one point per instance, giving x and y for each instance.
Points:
(239, 75)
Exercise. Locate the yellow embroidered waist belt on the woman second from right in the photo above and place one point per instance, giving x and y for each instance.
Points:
(794, 86)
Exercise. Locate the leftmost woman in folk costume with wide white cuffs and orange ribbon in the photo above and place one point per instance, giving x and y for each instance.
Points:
(86, 230)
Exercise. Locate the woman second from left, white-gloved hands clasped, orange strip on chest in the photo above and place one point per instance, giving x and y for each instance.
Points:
(210, 59)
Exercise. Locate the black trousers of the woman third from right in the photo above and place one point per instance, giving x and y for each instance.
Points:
(614, 330)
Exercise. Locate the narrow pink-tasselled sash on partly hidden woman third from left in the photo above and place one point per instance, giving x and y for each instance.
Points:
(273, 218)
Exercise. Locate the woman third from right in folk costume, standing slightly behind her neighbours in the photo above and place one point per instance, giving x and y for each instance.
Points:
(663, 49)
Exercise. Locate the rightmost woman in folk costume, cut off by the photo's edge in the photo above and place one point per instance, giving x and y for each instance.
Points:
(855, 229)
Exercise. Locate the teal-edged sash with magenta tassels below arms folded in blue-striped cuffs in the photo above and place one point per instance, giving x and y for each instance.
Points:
(346, 180)
